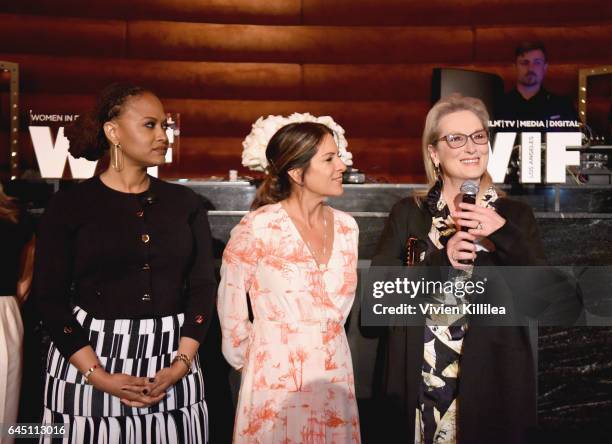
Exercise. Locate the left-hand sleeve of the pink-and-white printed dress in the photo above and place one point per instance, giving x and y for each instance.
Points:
(240, 260)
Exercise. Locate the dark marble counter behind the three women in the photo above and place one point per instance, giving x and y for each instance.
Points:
(574, 364)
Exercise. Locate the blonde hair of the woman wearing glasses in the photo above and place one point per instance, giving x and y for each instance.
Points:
(431, 133)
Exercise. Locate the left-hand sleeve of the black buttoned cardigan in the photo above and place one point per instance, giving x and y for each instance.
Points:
(53, 273)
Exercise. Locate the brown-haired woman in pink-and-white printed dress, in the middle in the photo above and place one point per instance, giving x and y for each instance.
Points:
(295, 258)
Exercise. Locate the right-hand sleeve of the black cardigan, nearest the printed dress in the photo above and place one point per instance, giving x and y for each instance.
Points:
(201, 283)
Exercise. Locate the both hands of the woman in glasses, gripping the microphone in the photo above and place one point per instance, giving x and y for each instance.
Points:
(481, 222)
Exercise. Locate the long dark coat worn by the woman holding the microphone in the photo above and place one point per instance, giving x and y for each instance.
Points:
(497, 389)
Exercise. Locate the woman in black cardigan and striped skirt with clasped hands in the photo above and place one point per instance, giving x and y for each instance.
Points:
(124, 281)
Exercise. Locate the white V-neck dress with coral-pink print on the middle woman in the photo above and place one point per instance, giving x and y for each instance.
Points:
(297, 374)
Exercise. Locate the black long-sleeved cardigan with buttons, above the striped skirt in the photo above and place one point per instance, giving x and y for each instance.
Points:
(126, 256)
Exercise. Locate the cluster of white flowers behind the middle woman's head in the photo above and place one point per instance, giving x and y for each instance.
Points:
(255, 144)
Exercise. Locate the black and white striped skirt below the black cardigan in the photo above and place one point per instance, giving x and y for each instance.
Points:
(138, 347)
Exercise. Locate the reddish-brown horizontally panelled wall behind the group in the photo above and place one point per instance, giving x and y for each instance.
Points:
(223, 63)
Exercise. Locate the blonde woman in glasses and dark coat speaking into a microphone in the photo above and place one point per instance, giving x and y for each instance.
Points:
(460, 383)
